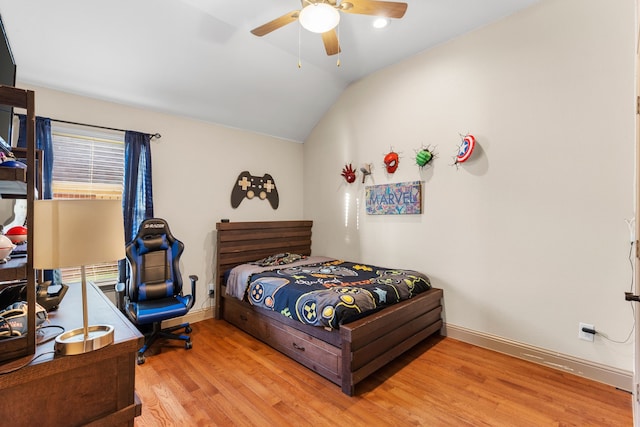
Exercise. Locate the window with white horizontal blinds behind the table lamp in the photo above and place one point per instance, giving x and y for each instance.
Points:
(88, 163)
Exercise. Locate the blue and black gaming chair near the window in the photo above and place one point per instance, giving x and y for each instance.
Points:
(153, 291)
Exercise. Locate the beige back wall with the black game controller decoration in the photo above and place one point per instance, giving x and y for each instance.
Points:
(195, 165)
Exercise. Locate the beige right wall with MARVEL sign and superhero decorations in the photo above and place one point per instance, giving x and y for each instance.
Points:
(529, 237)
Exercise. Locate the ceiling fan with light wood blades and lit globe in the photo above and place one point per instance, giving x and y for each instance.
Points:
(322, 16)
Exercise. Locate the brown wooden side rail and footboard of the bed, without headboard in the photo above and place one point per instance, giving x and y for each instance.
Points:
(348, 355)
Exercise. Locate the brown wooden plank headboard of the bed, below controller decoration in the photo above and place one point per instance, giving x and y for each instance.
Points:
(241, 242)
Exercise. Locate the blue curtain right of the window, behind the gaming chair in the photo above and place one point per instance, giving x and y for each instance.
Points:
(137, 196)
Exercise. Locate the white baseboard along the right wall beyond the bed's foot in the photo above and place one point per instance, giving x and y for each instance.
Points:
(618, 378)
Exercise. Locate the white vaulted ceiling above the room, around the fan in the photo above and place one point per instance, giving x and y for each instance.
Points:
(197, 58)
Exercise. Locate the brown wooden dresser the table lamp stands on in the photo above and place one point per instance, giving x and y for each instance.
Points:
(96, 388)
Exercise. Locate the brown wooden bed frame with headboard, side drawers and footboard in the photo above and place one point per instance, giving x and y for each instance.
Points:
(344, 356)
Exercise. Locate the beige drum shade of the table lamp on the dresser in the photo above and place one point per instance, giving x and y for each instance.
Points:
(77, 232)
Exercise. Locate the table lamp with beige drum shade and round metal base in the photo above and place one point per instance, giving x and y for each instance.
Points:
(72, 233)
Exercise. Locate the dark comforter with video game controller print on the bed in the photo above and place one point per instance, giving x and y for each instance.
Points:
(331, 292)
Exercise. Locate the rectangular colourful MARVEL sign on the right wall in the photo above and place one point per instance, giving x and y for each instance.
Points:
(403, 198)
